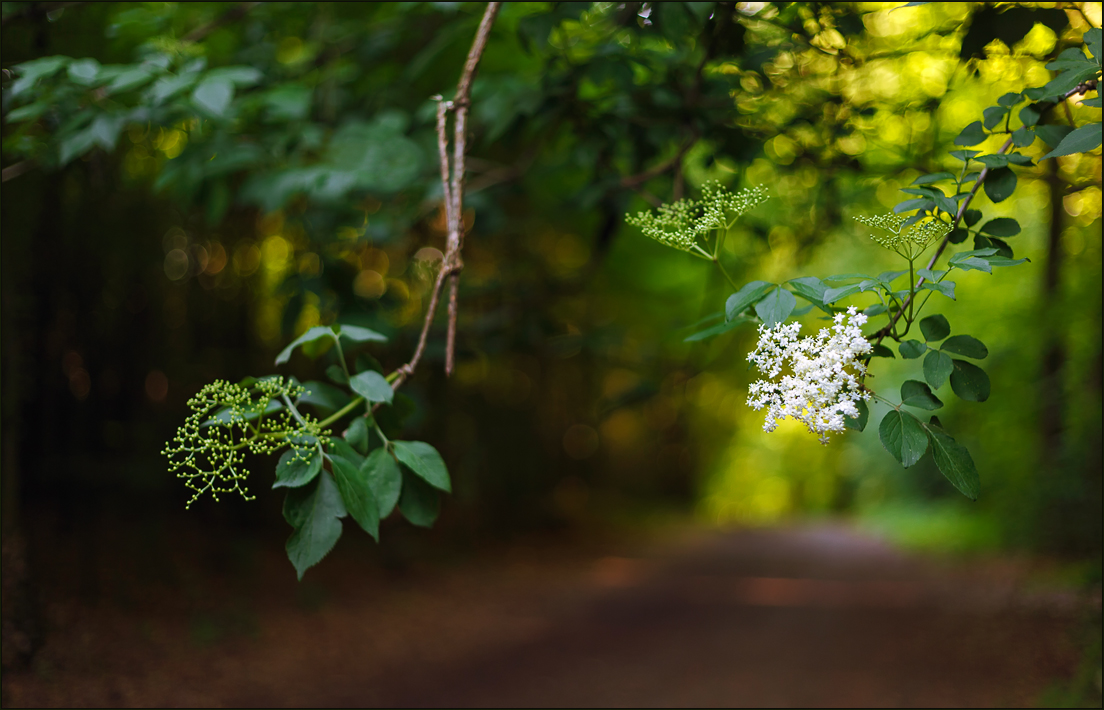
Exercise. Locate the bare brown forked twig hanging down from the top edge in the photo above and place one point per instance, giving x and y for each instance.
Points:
(453, 196)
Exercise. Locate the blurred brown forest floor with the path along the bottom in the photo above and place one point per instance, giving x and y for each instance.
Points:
(816, 616)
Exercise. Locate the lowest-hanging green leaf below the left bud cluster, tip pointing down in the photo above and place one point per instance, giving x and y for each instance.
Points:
(315, 513)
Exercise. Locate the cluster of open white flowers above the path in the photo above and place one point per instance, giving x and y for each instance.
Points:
(824, 387)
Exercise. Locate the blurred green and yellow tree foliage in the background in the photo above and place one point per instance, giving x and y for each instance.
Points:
(190, 186)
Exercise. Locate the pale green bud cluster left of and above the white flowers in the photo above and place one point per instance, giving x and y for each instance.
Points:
(683, 224)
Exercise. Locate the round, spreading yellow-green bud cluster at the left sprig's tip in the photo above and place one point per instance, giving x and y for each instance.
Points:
(228, 421)
